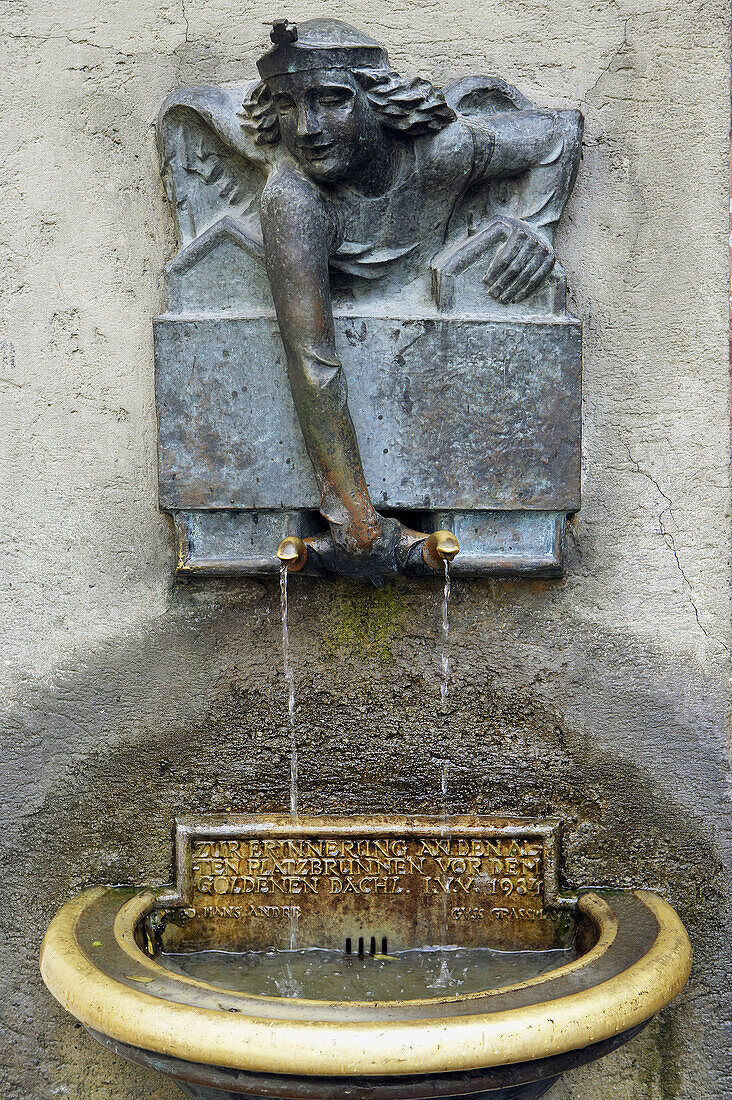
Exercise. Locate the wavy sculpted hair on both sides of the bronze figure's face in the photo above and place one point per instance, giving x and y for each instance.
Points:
(411, 107)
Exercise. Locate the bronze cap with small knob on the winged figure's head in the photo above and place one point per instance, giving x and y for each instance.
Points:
(321, 43)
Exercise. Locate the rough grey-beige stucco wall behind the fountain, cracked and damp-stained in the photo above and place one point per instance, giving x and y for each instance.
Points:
(602, 699)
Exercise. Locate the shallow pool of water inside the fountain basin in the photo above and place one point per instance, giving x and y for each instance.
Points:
(320, 974)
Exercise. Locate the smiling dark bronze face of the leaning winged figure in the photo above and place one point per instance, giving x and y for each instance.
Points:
(326, 123)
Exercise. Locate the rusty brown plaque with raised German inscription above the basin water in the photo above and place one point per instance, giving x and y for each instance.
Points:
(380, 883)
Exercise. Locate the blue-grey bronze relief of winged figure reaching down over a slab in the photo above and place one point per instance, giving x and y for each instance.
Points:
(411, 228)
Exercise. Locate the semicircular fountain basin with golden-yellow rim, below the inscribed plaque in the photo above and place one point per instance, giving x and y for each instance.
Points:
(107, 959)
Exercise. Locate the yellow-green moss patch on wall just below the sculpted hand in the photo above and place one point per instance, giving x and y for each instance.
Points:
(363, 621)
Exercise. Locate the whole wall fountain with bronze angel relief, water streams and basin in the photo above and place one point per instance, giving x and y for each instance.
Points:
(340, 221)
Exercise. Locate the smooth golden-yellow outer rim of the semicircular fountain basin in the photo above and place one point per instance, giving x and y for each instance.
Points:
(386, 1048)
